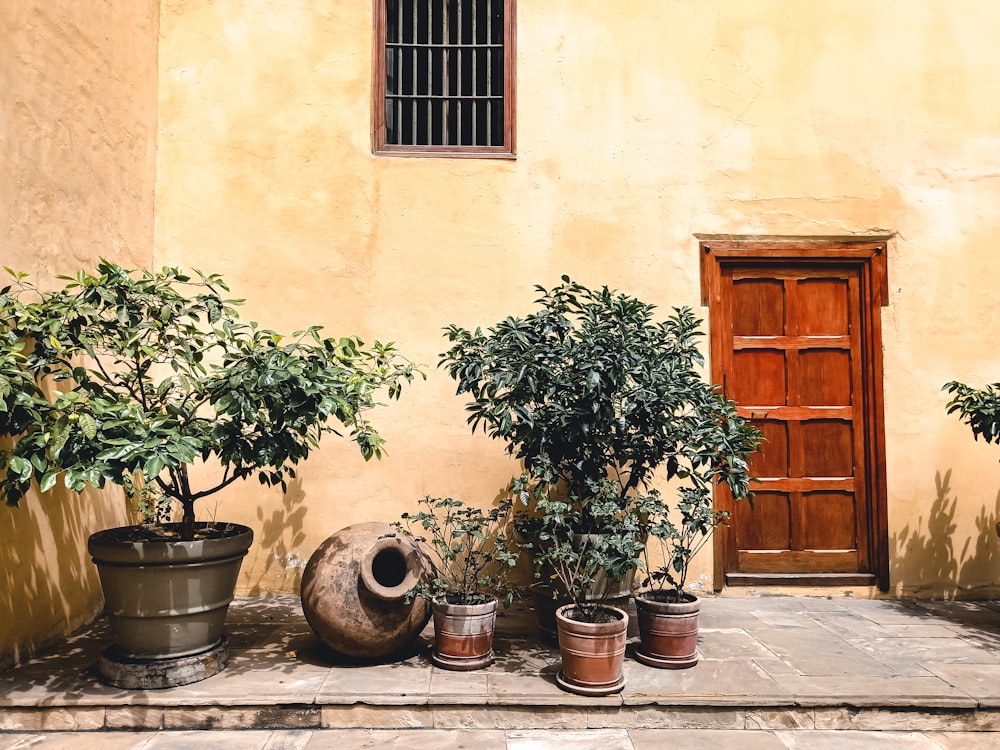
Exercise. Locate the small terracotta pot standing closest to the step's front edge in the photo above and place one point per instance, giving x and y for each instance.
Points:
(593, 654)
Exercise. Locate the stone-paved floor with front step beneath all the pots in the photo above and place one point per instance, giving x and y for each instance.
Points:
(776, 672)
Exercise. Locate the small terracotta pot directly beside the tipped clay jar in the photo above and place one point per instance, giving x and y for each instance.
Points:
(463, 634)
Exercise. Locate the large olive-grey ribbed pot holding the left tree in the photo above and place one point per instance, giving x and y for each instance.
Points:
(167, 599)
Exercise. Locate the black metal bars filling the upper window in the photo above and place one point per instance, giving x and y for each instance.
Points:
(444, 65)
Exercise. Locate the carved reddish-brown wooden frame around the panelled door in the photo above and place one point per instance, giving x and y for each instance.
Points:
(868, 254)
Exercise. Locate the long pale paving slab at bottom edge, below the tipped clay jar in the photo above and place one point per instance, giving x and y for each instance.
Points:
(422, 739)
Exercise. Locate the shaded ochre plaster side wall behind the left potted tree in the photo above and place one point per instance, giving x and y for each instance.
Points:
(77, 137)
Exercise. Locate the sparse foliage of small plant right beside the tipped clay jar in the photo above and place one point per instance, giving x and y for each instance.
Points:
(474, 551)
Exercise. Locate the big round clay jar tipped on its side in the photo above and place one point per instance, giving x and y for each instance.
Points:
(353, 588)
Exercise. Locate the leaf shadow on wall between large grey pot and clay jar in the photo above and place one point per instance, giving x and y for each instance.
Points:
(280, 533)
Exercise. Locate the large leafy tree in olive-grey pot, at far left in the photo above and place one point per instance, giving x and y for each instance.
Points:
(133, 378)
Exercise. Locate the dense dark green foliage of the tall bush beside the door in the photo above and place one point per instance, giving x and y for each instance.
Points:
(590, 386)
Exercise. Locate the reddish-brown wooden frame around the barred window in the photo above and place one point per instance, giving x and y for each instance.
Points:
(379, 146)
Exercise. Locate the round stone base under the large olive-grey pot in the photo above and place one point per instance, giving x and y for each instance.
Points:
(153, 674)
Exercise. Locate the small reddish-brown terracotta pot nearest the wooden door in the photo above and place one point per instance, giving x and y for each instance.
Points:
(668, 630)
